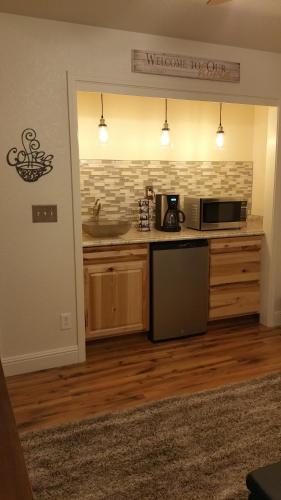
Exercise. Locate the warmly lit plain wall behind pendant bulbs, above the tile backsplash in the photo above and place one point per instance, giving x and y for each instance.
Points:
(135, 123)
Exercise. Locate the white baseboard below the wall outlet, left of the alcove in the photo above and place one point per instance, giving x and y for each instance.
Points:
(24, 363)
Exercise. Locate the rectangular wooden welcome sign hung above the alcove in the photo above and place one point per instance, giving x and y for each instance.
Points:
(159, 63)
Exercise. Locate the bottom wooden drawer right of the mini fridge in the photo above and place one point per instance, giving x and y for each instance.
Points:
(234, 300)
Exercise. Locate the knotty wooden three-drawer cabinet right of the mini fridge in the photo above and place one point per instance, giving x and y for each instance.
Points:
(234, 276)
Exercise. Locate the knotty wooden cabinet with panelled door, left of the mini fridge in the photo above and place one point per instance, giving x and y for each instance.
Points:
(116, 290)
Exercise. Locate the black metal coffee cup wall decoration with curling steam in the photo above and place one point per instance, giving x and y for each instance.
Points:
(30, 162)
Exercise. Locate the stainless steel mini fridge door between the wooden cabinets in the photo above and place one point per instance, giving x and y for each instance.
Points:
(179, 295)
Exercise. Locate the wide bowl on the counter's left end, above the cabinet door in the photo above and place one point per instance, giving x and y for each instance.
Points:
(106, 229)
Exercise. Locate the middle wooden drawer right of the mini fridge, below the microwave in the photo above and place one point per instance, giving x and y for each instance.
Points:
(234, 267)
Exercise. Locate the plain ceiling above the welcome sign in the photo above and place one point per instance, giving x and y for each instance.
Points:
(252, 24)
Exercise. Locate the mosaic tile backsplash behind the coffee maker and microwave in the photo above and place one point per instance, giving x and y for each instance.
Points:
(118, 184)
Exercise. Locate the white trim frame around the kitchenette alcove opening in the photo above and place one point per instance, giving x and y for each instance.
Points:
(273, 182)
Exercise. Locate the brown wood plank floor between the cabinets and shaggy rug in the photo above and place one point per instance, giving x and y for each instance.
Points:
(128, 371)
